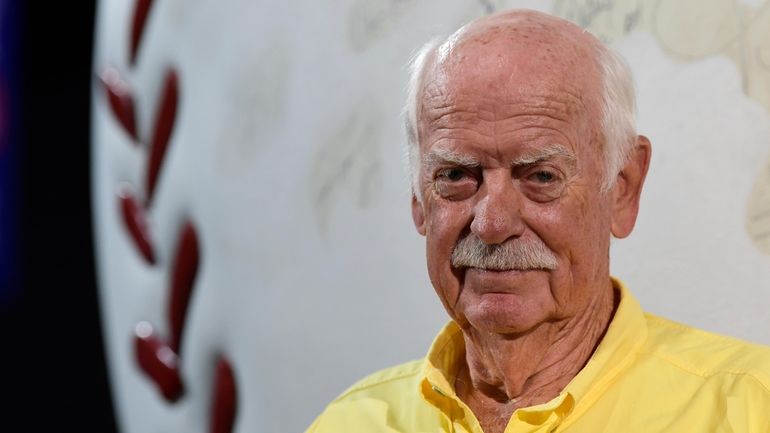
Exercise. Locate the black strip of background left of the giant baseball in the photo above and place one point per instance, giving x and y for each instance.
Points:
(53, 348)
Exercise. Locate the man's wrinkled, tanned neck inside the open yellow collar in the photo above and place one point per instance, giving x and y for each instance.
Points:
(502, 374)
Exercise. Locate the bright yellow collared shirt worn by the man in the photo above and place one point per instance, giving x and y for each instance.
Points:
(647, 375)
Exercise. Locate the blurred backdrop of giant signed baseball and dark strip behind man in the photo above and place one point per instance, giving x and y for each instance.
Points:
(204, 216)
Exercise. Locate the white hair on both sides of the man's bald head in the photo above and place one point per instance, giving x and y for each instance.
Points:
(618, 111)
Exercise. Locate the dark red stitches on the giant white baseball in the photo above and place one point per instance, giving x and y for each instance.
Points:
(159, 357)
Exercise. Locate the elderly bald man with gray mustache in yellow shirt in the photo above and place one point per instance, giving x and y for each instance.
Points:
(525, 161)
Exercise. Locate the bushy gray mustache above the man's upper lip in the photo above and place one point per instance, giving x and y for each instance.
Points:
(516, 254)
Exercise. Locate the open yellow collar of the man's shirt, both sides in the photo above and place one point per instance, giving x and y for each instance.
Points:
(625, 335)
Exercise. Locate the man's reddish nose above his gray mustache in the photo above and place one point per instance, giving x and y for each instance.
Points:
(497, 216)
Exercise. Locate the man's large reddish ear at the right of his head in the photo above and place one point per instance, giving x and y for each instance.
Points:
(628, 188)
